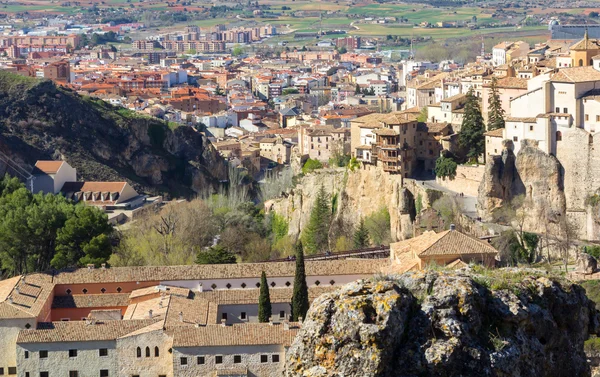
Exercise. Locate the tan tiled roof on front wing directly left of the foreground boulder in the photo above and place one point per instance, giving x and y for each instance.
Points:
(235, 335)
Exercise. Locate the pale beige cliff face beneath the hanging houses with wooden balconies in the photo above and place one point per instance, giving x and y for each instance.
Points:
(358, 193)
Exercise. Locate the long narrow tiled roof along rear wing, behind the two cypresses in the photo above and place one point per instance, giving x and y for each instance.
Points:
(216, 271)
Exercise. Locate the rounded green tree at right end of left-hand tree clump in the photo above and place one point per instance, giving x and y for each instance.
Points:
(76, 237)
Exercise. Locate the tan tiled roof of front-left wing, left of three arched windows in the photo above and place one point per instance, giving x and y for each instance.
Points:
(80, 331)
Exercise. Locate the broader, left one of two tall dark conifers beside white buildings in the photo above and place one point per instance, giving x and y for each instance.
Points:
(471, 136)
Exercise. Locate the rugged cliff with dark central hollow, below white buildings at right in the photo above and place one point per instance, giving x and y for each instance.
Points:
(533, 174)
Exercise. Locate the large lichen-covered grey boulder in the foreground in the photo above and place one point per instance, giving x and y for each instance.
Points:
(502, 323)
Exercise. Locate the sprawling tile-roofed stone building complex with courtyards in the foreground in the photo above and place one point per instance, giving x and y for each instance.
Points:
(196, 320)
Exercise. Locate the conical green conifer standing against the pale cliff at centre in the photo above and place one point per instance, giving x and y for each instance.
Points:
(316, 233)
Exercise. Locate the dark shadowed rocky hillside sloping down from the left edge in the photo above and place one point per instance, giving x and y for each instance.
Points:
(39, 120)
